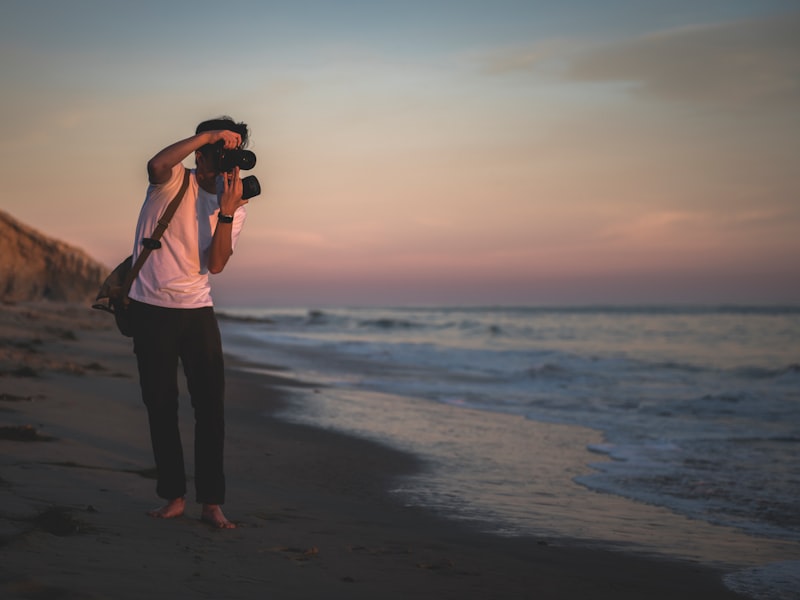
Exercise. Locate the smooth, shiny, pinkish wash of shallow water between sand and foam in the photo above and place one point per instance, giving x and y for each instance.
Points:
(473, 475)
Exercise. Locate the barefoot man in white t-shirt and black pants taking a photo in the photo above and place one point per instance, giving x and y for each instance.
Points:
(173, 311)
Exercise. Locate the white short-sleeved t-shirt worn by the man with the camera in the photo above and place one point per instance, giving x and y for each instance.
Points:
(176, 275)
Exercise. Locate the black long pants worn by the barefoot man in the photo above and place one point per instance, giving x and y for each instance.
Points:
(161, 337)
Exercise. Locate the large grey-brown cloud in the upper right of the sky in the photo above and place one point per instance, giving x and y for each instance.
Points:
(740, 65)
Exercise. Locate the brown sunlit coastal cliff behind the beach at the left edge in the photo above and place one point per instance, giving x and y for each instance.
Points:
(34, 266)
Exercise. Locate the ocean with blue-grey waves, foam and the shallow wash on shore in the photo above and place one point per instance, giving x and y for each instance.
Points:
(674, 430)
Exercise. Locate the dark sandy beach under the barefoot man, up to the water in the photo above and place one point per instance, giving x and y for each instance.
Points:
(313, 514)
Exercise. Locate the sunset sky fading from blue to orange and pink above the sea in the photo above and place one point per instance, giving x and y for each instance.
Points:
(499, 152)
